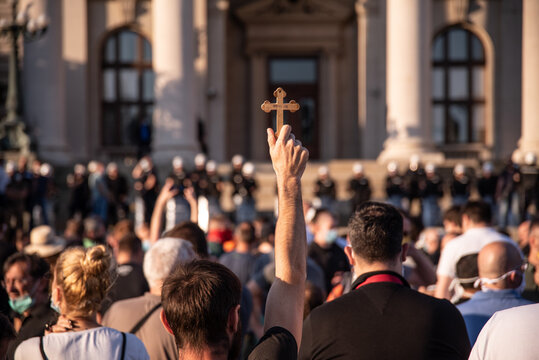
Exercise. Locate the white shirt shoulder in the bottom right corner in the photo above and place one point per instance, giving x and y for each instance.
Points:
(509, 334)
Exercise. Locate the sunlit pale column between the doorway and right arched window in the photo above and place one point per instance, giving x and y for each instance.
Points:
(408, 82)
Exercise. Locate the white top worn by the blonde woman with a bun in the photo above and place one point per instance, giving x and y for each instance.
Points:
(98, 343)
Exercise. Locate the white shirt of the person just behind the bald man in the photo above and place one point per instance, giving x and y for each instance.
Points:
(471, 242)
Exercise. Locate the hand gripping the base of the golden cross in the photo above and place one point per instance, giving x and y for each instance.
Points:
(288, 156)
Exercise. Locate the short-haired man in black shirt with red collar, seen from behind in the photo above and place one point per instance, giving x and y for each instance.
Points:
(382, 318)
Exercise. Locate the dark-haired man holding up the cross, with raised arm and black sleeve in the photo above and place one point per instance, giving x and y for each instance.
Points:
(207, 326)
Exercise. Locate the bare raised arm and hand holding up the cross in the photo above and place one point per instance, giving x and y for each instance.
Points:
(284, 305)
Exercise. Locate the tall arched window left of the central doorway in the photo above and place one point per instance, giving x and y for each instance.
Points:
(127, 90)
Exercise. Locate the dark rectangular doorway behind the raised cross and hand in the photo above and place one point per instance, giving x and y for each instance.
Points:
(298, 76)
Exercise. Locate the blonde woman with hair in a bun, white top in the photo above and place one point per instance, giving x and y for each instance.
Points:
(81, 279)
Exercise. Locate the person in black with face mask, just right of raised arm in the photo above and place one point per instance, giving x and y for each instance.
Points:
(324, 249)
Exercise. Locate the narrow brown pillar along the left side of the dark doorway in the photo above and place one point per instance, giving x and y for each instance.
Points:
(259, 93)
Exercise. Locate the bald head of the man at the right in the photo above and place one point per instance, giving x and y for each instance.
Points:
(498, 258)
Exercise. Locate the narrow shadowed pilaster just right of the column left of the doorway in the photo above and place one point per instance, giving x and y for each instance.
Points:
(217, 14)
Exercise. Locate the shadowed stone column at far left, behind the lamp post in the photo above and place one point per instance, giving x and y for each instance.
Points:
(44, 86)
